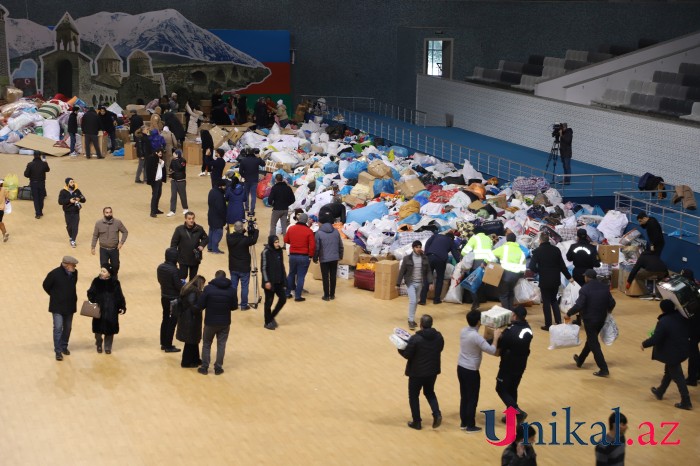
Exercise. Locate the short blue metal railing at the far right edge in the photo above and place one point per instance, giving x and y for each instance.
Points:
(674, 222)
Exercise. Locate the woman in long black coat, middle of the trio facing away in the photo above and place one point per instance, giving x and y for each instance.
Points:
(189, 322)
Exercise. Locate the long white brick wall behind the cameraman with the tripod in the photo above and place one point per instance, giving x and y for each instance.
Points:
(615, 140)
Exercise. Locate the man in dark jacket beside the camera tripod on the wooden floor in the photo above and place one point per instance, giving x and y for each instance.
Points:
(239, 257)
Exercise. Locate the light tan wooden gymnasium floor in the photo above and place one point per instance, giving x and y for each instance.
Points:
(327, 387)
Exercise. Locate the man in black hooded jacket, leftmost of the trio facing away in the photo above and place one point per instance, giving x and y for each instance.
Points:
(170, 286)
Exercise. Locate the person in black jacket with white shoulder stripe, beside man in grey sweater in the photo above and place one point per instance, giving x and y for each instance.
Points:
(514, 350)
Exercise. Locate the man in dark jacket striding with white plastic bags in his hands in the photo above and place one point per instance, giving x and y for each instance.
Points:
(594, 303)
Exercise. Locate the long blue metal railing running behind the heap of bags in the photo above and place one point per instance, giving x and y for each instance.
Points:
(484, 162)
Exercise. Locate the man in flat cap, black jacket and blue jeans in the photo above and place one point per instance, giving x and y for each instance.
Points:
(60, 285)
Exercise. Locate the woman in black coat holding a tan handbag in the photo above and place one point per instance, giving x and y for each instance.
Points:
(106, 291)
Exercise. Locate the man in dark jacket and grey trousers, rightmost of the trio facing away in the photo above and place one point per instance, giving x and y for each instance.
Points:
(219, 299)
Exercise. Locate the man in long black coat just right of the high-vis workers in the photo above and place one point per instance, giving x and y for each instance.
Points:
(547, 262)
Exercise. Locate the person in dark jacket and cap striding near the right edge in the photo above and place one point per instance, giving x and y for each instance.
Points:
(669, 341)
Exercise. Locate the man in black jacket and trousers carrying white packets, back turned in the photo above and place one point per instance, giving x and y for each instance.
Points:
(423, 353)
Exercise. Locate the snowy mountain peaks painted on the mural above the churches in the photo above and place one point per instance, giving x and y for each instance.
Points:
(163, 31)
